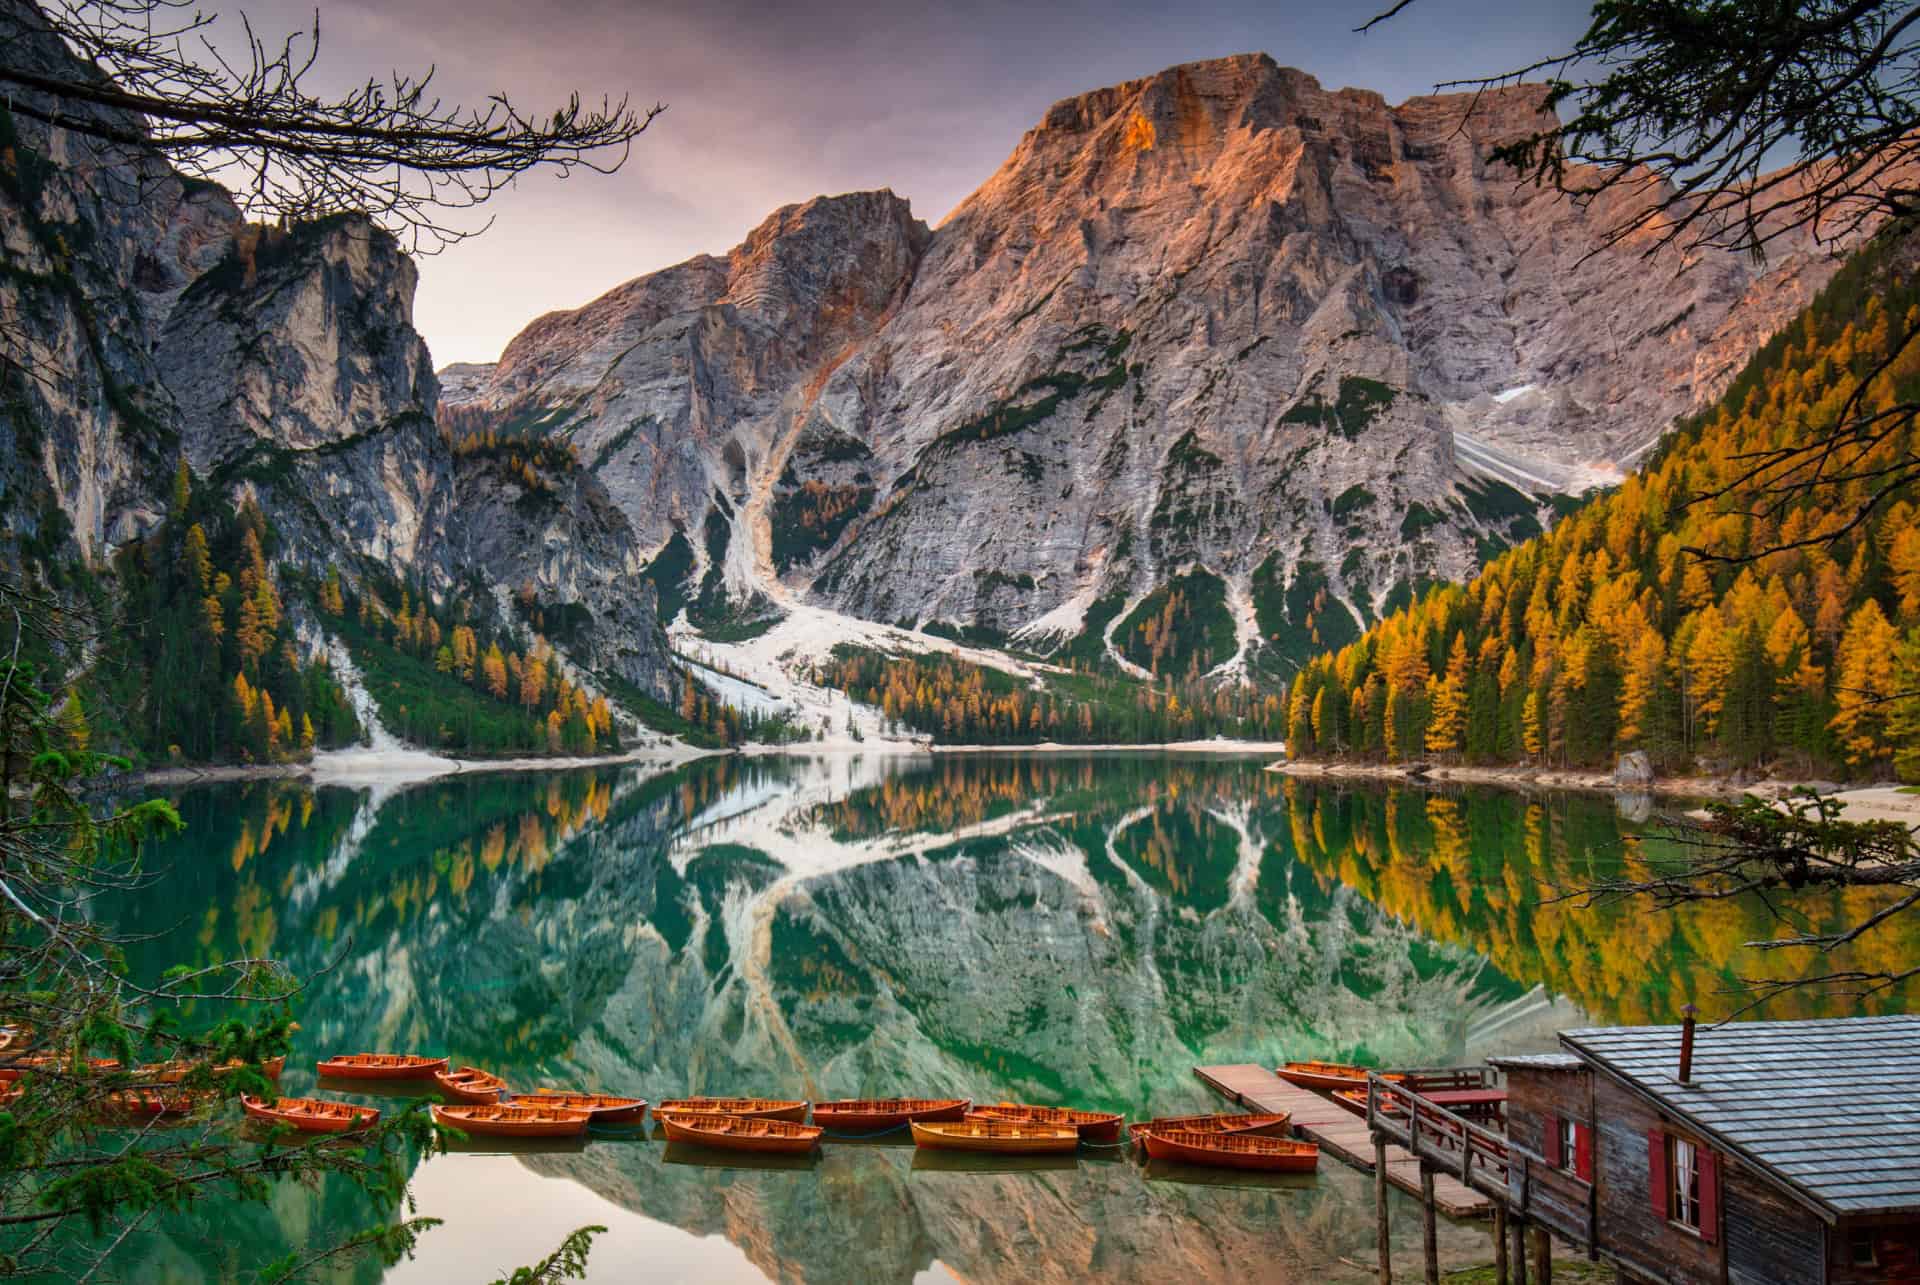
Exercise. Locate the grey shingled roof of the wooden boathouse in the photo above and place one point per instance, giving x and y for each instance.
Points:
(1831, 1109)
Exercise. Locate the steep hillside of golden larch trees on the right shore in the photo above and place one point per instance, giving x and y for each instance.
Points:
(1612, 635)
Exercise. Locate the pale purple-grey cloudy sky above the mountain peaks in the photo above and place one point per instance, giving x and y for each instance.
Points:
(771, 105)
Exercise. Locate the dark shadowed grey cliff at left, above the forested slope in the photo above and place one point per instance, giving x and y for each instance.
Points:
(151, 322)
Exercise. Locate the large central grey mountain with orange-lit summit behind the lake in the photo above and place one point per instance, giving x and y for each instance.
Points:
(1297, 351)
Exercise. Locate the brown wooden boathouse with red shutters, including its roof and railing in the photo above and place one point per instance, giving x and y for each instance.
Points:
(1756, 1153)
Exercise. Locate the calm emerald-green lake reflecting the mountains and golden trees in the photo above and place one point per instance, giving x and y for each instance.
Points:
(1055, 929)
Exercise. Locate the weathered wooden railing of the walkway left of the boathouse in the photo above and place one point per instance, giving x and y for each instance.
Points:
(1489, 1163)
